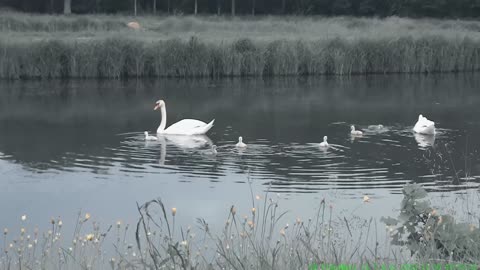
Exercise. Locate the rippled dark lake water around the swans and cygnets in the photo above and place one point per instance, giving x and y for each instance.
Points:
(66, 146)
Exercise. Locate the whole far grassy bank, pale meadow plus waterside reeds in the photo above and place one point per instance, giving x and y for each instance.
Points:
(100, 46)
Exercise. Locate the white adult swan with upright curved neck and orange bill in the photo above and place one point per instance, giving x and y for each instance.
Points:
(182, 127)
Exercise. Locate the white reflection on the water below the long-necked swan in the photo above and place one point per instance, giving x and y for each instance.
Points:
(182, 142)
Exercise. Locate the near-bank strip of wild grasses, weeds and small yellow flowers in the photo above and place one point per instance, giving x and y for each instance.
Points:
(262, 239)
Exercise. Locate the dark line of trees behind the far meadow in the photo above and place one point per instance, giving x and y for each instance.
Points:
(410, 8)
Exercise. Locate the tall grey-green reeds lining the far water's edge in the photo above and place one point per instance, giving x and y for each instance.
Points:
(124, 57)
